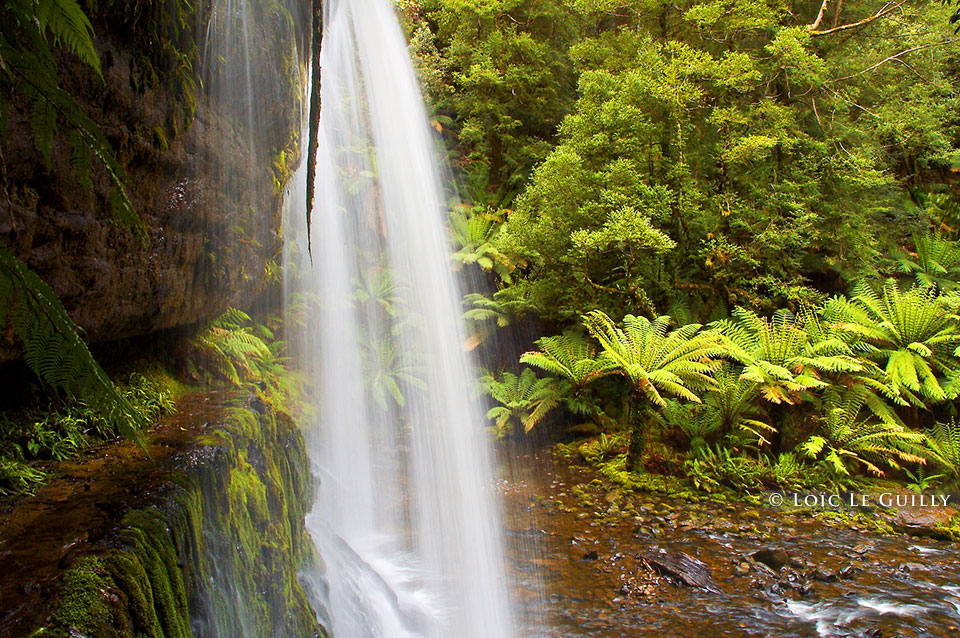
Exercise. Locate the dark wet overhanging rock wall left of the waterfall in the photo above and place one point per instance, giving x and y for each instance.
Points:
(203, 187)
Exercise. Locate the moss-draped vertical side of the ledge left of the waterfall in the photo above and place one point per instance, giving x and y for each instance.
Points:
(216, 555)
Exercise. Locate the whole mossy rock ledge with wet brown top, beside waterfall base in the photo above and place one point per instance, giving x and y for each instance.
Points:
(203, 536)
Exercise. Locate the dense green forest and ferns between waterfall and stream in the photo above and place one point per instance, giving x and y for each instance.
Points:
(782, 171)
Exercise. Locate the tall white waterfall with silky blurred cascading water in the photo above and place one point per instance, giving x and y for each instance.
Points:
(405, 519)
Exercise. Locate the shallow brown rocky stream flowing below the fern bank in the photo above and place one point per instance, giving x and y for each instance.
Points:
(594, 581)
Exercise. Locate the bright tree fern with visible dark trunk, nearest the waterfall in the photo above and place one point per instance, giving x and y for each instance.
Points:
(656, 361)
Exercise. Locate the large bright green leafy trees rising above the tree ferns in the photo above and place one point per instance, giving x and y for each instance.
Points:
(730, 154)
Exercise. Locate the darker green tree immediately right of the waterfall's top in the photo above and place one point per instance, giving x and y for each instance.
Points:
(507, 63)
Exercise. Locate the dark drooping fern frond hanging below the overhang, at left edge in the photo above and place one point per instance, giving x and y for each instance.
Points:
(52, 346)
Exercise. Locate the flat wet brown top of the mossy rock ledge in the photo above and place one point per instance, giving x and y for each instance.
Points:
(43, 534)
